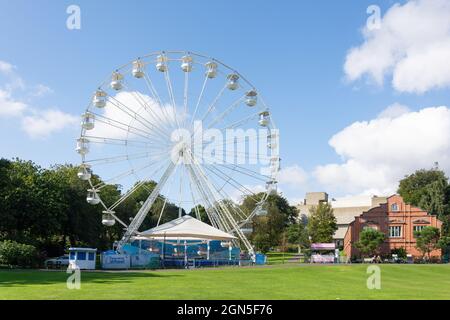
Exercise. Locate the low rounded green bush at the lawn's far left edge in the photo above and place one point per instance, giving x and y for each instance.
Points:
(17, 254)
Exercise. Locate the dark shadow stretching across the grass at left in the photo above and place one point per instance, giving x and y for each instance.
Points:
(30, 278)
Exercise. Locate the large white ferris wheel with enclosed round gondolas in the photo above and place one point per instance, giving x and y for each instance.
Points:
(193, 125)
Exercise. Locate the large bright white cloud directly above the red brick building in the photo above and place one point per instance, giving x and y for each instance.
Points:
(378, 153)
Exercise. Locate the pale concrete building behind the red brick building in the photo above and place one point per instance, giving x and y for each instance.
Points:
(344, 209)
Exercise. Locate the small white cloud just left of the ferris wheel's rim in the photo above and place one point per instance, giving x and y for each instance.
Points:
(43, 124)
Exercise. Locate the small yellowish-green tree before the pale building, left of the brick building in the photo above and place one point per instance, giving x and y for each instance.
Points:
(322, 223)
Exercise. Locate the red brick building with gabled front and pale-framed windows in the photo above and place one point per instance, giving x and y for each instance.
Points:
(398, 221)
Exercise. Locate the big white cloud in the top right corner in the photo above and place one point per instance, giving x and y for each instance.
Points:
(412, 45)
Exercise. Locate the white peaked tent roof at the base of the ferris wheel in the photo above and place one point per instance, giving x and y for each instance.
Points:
(186, 227)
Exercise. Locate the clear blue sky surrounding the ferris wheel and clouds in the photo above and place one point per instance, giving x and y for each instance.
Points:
(293, 51)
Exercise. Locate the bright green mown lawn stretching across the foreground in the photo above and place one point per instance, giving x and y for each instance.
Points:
(270, 282)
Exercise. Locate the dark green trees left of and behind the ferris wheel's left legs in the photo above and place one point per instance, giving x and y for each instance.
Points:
(47, 208)
